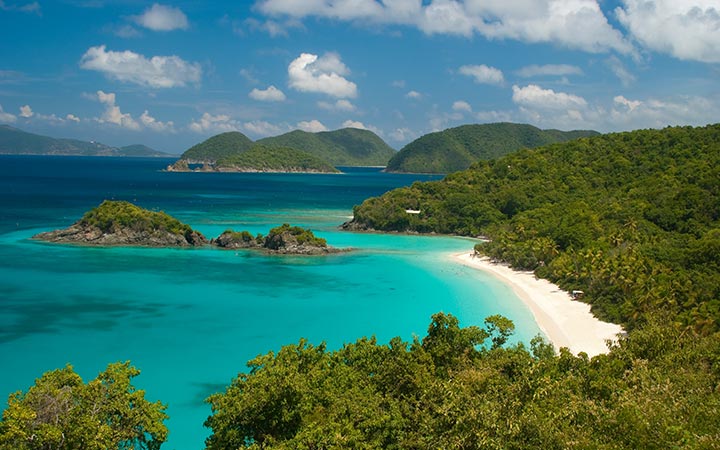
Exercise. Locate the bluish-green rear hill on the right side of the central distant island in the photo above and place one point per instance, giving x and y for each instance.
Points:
(344, 147)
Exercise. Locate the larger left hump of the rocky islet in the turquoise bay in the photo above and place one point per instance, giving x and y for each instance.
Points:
(120, 223)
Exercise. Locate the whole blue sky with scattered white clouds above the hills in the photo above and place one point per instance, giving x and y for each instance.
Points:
(174, 73)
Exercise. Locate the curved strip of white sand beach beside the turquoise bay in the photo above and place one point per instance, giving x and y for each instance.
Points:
(565, 322)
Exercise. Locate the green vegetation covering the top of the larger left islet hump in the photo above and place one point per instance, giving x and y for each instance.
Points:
(113, 215)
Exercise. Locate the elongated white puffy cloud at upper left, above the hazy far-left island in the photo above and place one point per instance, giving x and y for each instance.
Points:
(127, 66)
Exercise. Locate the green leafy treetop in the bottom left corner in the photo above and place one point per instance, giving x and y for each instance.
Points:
(61, 412)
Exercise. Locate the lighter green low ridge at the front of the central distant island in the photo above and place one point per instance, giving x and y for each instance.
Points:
(277, 159)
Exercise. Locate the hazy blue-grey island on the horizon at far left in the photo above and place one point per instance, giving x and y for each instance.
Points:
(14, 141)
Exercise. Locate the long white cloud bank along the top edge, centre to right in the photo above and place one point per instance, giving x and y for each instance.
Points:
(576, 24)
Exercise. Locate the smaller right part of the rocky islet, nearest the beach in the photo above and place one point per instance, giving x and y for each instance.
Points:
(285, 240)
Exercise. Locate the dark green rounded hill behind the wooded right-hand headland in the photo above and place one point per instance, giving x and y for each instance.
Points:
(456, 148)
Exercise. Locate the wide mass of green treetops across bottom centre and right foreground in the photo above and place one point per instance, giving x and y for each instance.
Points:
(656, 390)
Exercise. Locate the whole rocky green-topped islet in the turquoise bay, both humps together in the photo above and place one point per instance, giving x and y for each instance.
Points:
(120, 223)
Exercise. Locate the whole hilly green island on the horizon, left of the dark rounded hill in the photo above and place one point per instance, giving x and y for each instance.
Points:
(297, 151)
